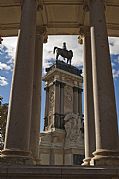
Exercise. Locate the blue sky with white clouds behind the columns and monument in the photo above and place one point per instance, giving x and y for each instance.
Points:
(7, 56)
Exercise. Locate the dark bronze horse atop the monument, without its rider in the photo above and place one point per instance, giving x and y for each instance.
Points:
(64, 53)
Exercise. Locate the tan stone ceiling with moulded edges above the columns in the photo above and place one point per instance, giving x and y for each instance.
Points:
(59, 16)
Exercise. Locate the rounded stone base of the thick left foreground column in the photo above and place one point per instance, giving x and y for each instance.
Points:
(15, 157)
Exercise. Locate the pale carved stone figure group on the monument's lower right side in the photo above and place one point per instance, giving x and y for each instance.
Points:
(73, 127)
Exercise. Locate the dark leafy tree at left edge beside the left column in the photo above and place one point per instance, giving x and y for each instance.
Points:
(3, 119)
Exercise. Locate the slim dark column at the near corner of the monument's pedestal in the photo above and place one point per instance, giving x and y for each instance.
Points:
(57, 104)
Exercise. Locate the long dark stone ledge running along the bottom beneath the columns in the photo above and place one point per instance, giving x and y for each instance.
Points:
(59, 172)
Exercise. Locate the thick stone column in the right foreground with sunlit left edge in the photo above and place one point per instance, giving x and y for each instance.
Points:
(104, 98)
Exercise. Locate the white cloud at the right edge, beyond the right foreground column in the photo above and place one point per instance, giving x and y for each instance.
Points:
(114, 45)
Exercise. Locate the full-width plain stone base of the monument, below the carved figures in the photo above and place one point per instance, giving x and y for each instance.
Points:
(53, 149)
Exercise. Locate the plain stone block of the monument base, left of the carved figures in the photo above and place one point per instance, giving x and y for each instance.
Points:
(51, 147)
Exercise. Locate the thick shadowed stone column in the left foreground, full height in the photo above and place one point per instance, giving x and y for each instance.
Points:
(19, 115)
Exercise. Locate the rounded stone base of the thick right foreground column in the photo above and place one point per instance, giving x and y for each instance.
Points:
(105, 158)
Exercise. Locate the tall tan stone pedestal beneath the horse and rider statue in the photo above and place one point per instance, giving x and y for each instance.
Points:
(62, 142)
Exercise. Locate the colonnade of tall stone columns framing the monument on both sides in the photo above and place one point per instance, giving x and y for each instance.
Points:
(101, 133)
